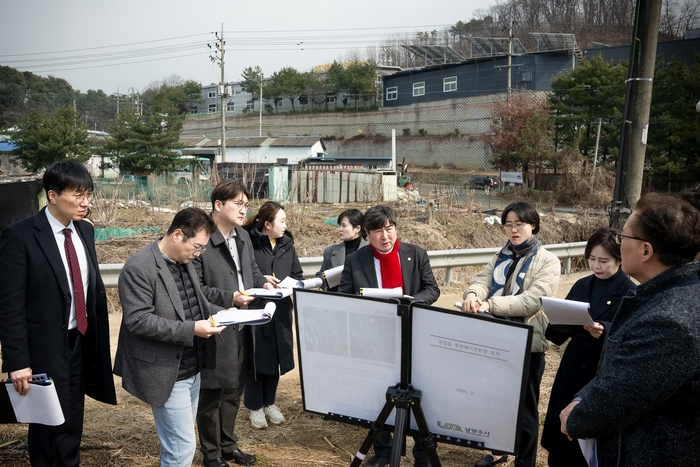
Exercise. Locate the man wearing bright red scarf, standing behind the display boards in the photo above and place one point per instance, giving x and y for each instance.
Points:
(387, 264)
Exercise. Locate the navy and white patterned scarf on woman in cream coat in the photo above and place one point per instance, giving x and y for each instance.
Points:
(502, 280)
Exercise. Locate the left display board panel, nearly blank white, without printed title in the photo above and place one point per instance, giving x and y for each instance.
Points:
(349, 353)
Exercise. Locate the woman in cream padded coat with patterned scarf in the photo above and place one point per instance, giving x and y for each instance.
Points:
(510, 287)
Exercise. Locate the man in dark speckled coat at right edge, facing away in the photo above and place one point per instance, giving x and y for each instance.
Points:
(643, 407)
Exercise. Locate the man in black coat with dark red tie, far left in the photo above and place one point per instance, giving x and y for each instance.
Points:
(53, 314)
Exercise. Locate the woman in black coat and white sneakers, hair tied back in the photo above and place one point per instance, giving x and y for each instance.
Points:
(272, 350)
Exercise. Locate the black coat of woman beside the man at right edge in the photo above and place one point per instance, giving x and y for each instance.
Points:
(578, 364)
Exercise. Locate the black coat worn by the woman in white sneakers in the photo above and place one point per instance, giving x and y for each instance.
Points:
(272, 343)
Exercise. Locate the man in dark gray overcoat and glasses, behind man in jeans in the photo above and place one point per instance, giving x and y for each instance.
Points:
(226, 268)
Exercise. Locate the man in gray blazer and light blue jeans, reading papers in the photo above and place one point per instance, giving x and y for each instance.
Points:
(163, 339)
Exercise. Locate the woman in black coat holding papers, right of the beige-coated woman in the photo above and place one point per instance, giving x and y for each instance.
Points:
(603, 291)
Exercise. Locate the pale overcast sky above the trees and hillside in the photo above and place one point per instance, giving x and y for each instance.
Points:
(130, 43)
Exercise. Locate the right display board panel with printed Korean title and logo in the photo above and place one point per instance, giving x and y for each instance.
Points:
(472, 372)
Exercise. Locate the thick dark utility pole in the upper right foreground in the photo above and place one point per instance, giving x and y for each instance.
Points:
(635, 121)
